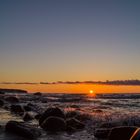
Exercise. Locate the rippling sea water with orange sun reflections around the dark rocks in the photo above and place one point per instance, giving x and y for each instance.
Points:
(102, 108)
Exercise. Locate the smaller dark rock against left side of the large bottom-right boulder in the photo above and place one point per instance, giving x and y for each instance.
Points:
(102, 133)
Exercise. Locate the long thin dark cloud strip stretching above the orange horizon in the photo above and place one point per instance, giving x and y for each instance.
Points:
(107, 82)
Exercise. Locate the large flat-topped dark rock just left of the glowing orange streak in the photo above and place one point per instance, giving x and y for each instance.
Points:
(122, 133)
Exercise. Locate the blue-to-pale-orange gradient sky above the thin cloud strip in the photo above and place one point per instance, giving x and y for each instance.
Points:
(69, 40)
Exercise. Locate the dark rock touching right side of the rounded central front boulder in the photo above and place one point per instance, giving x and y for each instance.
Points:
(74, 123)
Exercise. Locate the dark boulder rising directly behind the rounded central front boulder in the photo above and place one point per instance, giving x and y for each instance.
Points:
(53, 111)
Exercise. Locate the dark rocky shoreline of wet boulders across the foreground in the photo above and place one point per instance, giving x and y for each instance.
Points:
(37, 122)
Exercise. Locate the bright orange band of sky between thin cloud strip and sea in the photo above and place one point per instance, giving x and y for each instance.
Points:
(75, 88)
